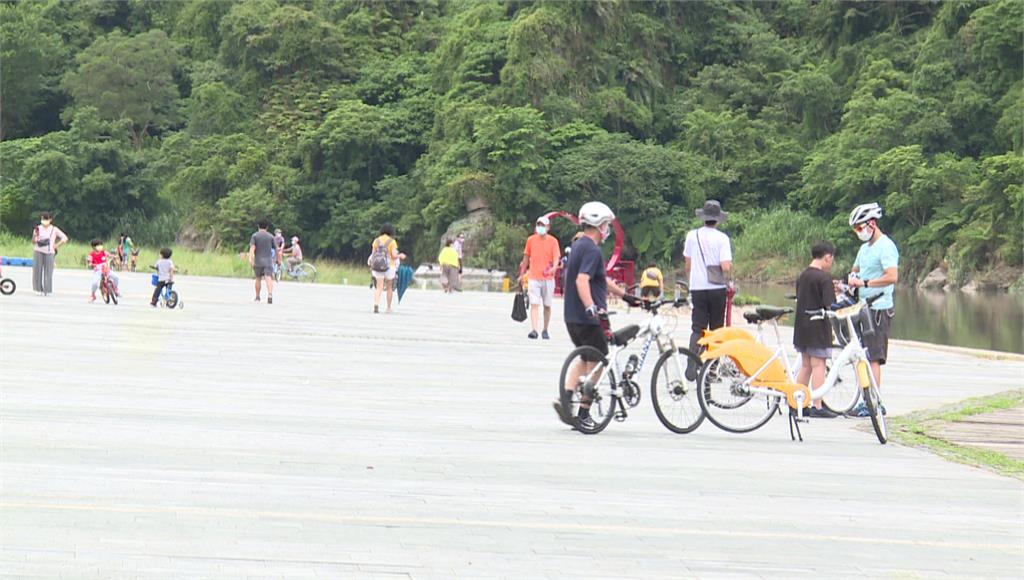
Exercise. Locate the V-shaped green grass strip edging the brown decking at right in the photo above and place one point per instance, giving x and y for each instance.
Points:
(921, 430)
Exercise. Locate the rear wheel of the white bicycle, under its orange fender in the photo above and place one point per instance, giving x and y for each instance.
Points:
(729, 404)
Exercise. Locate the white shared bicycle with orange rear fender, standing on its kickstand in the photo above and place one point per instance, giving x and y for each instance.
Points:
(743, 382)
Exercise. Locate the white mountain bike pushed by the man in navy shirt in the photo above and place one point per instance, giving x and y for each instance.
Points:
(610, 382)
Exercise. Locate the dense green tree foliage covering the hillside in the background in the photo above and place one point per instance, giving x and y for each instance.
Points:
(331, 117)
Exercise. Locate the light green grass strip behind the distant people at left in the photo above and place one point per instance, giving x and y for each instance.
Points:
(190, 263)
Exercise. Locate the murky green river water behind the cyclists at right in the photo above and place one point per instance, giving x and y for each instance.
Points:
(994, 321)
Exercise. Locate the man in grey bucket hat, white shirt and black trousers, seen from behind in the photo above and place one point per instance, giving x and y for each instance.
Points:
(709, 267)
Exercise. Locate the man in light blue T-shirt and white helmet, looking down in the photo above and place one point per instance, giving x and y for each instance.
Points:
(876, 272)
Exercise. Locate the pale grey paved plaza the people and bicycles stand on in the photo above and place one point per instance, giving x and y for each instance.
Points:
(314, 439)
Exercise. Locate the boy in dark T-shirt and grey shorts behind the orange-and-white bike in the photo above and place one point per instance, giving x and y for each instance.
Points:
(814, 340)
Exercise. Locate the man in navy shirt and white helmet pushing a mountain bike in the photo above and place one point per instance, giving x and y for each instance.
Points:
(586, 298)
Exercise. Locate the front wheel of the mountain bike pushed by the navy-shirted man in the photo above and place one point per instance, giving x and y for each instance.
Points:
(675, 398)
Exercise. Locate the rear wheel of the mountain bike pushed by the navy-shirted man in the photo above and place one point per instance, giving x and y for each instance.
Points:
(595, 385)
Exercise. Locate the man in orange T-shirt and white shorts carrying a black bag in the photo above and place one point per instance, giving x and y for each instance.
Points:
(540, 265)
